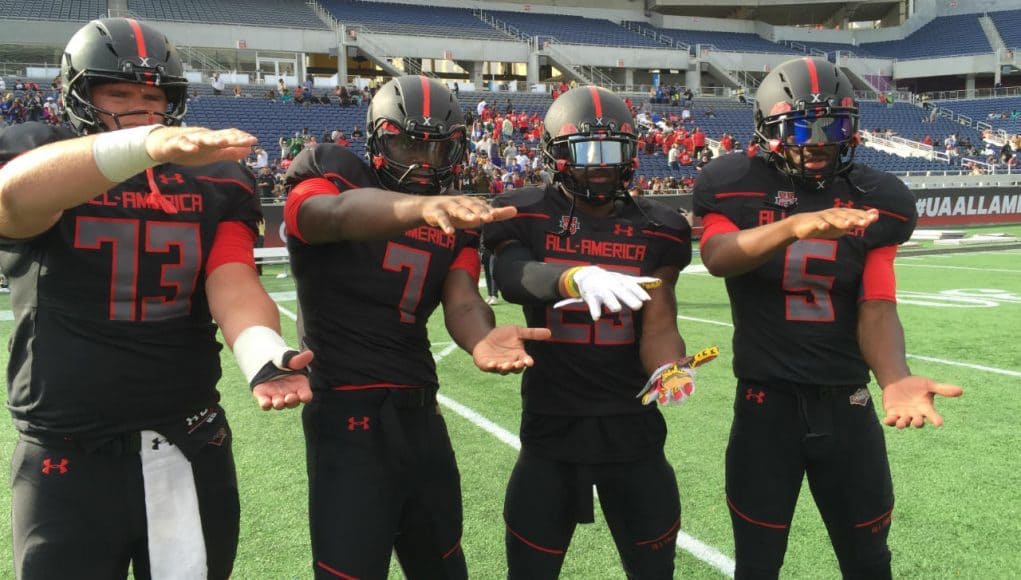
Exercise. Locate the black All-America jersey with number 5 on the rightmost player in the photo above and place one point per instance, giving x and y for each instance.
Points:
(796, 317)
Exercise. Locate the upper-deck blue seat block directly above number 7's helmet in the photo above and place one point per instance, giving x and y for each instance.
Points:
(412, 20)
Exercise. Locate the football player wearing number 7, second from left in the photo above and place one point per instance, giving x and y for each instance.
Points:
(370, 272)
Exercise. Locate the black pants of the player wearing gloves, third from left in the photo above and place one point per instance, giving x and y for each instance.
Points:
(547, 499)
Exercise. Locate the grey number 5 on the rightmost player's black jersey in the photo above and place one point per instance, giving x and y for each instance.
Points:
(808, 295)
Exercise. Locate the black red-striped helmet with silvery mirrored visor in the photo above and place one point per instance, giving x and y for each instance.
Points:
(590, 142)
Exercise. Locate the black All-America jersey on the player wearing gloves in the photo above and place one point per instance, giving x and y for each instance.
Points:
(590, 368)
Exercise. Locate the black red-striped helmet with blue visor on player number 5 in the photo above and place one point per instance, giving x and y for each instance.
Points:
(809, 105)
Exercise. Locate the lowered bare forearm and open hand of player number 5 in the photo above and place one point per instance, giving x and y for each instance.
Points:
(908, 400)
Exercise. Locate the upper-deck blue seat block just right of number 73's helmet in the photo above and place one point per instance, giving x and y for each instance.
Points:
(273, 14)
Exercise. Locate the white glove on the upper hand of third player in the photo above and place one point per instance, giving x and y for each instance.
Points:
(598, 288)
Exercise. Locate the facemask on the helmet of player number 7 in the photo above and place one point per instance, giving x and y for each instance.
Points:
(417, 160)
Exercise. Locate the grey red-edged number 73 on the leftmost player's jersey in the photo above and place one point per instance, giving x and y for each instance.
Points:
(122, 235)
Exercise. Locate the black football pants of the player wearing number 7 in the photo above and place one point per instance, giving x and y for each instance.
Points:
(382, 478)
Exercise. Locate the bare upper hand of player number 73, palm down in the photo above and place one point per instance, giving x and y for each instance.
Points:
(199, 147)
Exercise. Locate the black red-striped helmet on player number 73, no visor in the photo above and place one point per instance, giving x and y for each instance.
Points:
(120, 51)
